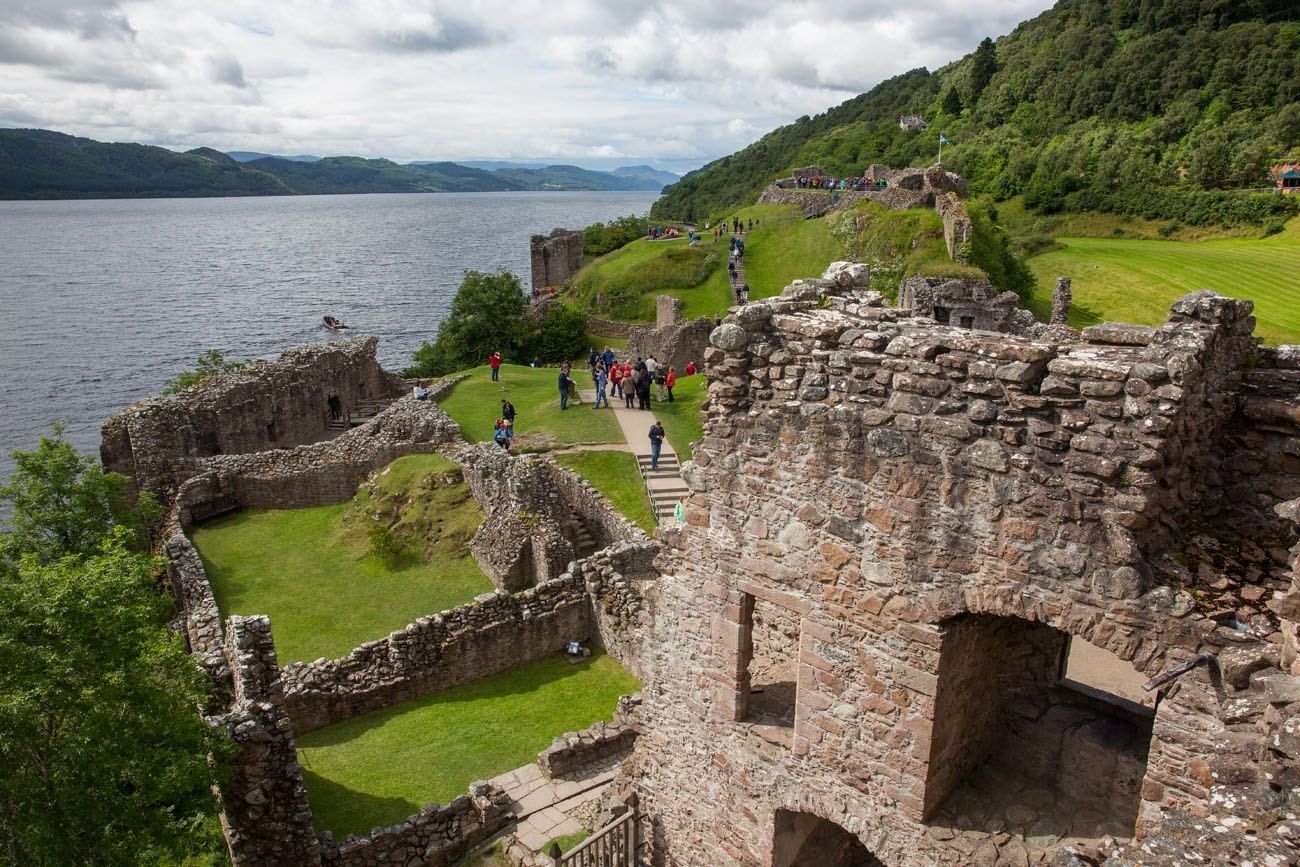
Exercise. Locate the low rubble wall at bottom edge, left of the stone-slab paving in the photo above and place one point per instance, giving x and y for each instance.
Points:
(437, 836)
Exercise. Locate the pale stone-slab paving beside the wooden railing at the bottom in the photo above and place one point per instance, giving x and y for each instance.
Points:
(548, 809)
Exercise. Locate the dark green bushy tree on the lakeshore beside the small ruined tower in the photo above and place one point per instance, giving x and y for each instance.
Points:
(487, 317)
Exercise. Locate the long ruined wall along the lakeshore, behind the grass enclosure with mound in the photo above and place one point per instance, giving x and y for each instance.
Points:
(268, 405)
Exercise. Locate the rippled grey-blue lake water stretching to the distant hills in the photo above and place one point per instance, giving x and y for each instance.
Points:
(103, 302)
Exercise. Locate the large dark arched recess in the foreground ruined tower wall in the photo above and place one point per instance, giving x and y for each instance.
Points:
(1019, 748)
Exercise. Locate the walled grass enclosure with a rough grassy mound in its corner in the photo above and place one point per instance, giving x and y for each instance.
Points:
(315, 574)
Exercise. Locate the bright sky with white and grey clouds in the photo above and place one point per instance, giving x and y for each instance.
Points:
(596, 83)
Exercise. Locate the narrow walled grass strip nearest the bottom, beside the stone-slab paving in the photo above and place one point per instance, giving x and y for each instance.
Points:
(379, 769)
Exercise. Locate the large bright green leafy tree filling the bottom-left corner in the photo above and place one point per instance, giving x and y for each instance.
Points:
(105, 758)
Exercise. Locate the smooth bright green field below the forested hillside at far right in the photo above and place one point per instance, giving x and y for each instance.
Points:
(1136, 281)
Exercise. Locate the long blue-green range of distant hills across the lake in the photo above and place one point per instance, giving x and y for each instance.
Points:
(42, 164)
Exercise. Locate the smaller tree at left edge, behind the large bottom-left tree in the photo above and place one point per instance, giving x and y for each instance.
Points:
(68, 505)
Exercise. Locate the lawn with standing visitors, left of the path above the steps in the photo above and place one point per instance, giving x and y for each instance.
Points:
(475, 404)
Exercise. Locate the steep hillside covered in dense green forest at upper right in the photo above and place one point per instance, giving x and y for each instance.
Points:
(1162, 109)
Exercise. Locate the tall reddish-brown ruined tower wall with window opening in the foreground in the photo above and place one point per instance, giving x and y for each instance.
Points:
(885, 476)
